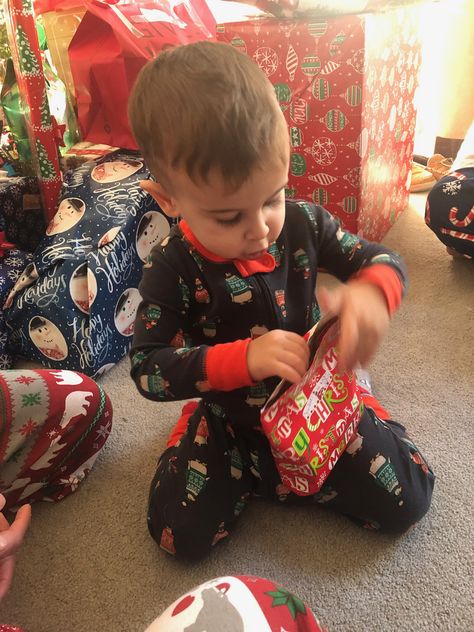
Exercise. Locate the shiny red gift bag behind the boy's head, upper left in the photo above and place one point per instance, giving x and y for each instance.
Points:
(112, 43)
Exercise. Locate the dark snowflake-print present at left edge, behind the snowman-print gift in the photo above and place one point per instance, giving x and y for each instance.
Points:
(12, 263)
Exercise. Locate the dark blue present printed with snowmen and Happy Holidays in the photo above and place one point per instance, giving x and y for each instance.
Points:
(75, 305)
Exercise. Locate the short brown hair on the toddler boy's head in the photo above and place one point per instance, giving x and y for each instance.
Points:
(201, 107)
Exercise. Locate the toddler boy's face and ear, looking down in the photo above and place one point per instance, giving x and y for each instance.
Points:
(234, 225)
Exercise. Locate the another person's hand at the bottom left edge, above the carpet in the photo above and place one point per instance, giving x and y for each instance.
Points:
(11, 537)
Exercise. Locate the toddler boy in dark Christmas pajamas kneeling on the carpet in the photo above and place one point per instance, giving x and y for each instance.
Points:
(228, 297)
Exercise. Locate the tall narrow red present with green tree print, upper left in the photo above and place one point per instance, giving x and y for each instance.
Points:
(29, 72)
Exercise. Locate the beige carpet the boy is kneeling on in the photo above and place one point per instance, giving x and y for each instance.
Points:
(89, 565)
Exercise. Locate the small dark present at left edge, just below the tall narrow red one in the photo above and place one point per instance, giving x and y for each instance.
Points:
(21, 211)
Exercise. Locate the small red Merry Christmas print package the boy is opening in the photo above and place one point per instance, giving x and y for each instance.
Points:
(309, 424)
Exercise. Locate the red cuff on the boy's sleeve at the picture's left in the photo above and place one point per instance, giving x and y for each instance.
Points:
(226, 366)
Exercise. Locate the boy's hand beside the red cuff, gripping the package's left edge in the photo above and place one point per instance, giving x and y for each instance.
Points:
(278, 352)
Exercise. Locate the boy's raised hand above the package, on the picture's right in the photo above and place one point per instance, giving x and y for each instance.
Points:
(363, 320)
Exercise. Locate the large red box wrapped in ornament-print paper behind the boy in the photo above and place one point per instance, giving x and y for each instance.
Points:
(346, 86)
